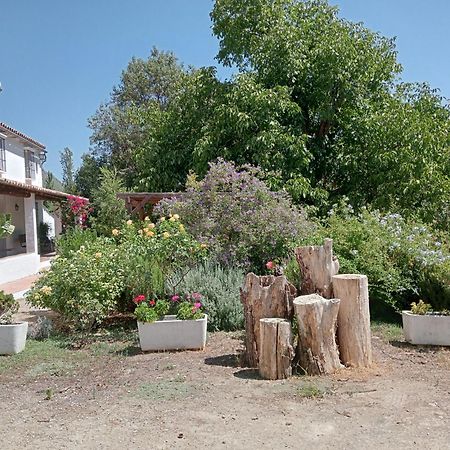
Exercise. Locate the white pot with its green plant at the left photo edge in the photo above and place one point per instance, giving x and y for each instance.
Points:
(12, 335)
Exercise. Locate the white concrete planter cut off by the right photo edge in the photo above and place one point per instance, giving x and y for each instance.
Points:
(427, 329)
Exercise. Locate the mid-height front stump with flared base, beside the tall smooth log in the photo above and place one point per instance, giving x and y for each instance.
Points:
(317, 319)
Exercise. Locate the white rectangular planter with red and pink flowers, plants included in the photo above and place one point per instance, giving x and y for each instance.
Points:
(177, 323)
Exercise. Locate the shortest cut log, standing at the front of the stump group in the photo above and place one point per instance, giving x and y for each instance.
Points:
(276, 352)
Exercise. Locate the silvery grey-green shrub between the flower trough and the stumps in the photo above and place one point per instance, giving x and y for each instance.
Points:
(220, 289)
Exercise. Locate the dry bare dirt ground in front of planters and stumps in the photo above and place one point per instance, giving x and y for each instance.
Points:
(124, 399)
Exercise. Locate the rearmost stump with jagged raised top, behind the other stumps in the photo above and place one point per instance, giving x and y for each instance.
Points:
(317, 267)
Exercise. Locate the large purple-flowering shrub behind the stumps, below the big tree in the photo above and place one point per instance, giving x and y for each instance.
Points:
(238, 217)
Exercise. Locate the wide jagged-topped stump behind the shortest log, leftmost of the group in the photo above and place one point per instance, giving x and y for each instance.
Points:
(263, 297)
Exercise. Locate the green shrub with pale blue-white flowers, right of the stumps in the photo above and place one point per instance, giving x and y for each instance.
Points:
(403, 259)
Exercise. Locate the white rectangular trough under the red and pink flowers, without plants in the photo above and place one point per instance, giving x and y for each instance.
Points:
(173, 334)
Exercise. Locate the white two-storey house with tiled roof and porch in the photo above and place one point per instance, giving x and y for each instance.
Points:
(22, 196)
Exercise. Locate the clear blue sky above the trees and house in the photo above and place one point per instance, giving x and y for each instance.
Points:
(59, 60)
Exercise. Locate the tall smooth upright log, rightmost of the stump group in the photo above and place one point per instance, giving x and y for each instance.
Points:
(354, 334)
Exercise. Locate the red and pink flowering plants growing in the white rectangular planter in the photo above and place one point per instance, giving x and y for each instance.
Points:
(188, 307)
